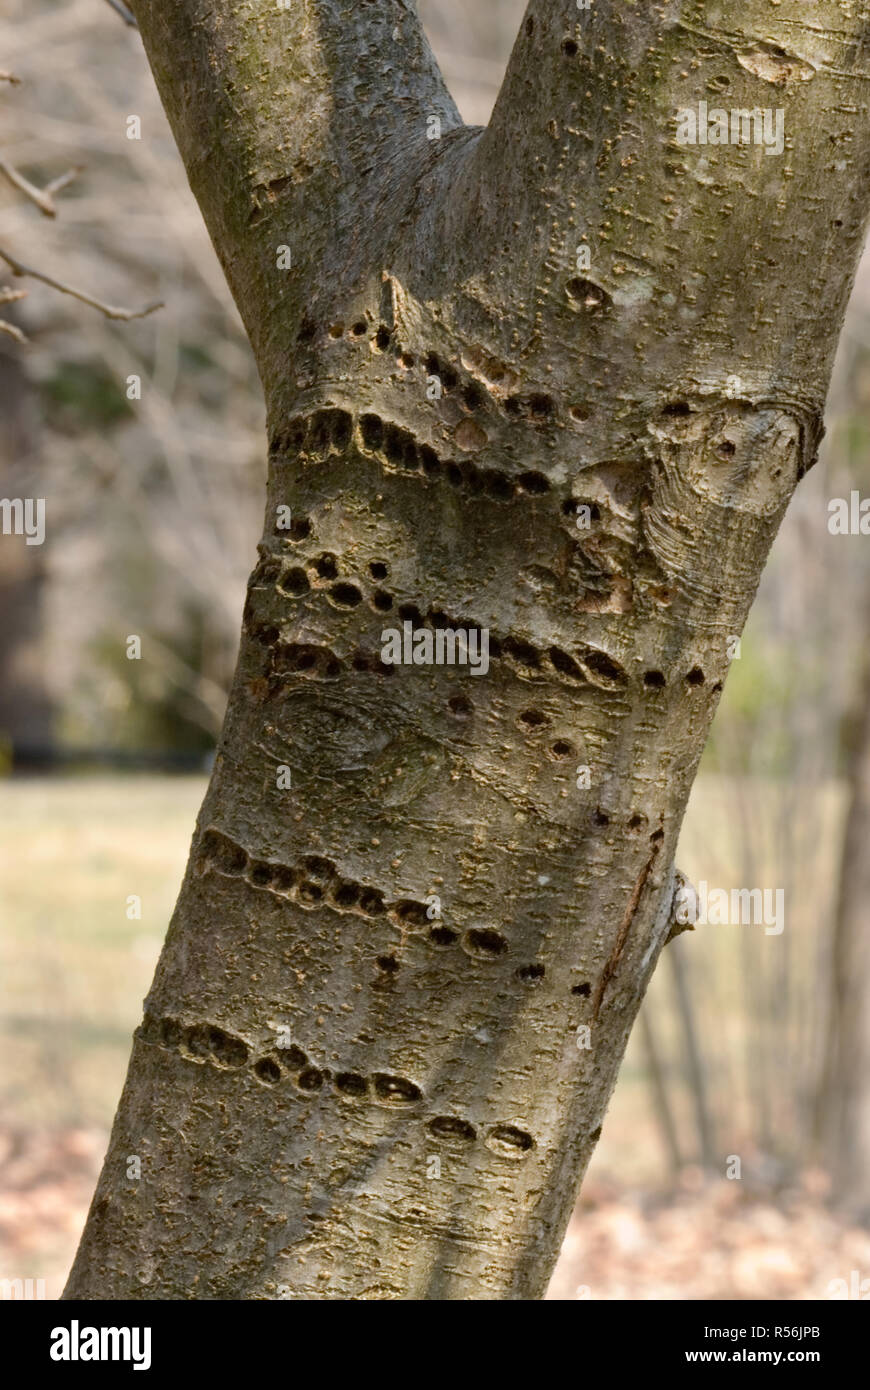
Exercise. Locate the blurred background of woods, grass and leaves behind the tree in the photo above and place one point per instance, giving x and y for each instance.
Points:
(733, 1161)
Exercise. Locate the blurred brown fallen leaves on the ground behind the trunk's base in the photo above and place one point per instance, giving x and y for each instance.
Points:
(704, 1241)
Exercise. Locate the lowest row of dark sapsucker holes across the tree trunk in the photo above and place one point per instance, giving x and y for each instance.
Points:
(208, 1043)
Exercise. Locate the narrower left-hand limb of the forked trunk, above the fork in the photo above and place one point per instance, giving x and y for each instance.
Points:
(293, 124)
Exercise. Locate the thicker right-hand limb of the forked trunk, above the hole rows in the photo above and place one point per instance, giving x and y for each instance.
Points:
(582, 155)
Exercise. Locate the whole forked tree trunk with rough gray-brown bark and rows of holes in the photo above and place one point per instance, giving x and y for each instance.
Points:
(676, 389)
